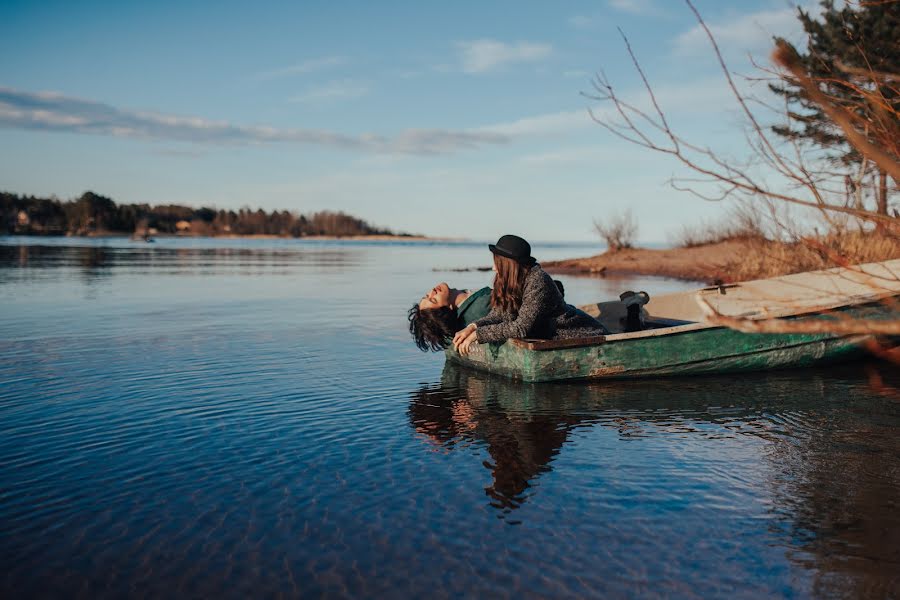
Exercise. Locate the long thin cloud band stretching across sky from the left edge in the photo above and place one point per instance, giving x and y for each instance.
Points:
(54, 112)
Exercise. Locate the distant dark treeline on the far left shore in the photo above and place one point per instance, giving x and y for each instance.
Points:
(93, 214)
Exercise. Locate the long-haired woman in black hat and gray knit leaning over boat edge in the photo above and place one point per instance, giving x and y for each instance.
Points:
(524, 303)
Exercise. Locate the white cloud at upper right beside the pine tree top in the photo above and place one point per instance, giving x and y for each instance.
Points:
(751, 32)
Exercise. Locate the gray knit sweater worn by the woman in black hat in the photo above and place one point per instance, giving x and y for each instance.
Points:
(542, 315)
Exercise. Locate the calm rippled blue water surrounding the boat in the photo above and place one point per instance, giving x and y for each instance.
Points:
(250, 418)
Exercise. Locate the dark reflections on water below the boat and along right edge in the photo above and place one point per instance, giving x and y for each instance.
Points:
(830, 459)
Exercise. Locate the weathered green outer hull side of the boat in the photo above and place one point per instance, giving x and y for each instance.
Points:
(676, 351)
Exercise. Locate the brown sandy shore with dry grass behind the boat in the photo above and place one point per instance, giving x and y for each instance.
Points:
(705, 264)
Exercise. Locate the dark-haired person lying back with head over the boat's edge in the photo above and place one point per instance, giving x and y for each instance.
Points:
(445, 310)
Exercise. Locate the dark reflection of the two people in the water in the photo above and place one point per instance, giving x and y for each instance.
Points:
(523, 437)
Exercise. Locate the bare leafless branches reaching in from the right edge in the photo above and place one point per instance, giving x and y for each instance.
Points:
(811, 181)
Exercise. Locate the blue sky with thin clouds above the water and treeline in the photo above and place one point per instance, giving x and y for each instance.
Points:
(463, 120)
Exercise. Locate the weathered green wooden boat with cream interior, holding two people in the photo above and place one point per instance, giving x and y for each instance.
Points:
(680, 341)
